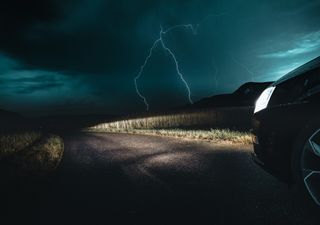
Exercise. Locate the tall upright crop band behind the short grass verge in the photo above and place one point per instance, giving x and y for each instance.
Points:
(232, 118)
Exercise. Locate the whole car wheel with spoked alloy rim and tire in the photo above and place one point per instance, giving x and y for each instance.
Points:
(306, 163)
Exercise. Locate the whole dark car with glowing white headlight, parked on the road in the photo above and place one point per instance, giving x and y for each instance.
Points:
(286, 129)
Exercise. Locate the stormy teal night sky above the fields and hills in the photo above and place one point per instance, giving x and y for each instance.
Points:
(64, 56)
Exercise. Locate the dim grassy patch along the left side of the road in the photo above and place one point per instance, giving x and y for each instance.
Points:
(30, 152)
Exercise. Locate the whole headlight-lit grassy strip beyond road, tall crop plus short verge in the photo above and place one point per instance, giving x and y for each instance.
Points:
(216, 125)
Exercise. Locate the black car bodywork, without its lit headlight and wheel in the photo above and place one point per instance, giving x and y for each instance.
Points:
(294, 104)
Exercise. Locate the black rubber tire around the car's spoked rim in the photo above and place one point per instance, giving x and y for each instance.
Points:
(300, 174)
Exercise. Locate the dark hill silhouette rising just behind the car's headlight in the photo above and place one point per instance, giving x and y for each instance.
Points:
(245, 95)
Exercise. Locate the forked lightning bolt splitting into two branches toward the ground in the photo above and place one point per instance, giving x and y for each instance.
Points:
(160, 41)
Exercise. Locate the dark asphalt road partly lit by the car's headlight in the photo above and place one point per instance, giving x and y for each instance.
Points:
(136, 179)
